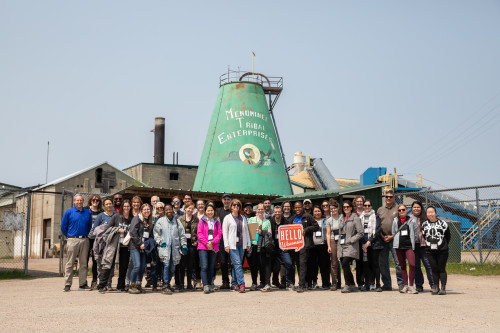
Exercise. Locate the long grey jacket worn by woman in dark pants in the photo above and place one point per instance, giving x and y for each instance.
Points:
(352, 231)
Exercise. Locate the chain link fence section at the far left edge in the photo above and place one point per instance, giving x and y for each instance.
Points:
(14, 221)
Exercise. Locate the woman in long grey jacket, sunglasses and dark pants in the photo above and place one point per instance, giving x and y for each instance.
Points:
(351, 232)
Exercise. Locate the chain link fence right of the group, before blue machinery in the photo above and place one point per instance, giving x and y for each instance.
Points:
(473, 214)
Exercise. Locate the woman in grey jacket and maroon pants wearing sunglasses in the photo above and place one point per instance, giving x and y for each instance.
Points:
(405, 230)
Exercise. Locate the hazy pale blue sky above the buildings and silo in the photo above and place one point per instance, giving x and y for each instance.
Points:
(408, 85)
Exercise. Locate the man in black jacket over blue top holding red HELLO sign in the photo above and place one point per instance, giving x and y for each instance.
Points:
(300, 258)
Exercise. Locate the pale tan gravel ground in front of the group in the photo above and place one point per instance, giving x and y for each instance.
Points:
(39, 304)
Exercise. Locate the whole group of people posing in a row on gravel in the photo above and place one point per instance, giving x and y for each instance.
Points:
(182, 240)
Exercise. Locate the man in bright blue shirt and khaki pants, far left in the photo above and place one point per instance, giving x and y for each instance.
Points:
(75, 225)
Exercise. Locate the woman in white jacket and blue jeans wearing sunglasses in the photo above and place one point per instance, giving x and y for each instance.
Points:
(236, 240)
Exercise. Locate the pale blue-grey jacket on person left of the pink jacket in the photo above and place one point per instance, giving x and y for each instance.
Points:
(172, 234)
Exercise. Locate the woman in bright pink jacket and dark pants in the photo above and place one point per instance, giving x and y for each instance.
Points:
(209, 234)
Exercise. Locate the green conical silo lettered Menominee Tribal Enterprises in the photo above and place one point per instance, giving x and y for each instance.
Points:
(242, 153)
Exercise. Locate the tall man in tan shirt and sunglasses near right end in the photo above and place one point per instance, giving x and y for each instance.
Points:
(387, 214)
